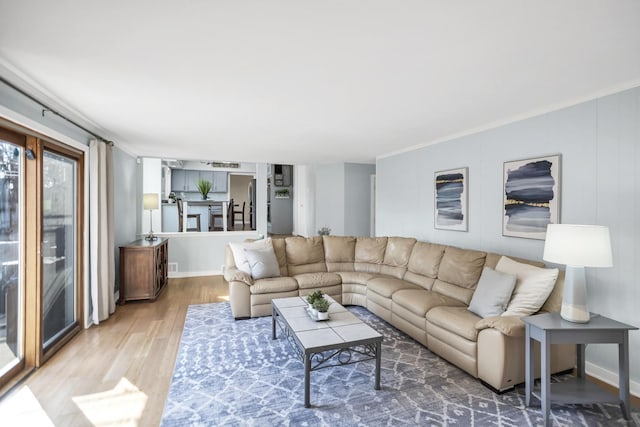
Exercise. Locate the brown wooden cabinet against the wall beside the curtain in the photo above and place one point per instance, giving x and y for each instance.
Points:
(143, 269)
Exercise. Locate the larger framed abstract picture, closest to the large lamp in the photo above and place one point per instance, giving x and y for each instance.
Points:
(531, 196)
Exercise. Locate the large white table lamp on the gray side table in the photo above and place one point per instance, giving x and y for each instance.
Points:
(577, 246)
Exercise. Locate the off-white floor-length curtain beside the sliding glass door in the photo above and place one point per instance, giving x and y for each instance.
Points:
(101, 230)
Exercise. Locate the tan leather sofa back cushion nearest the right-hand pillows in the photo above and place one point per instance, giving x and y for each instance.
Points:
(459, 273)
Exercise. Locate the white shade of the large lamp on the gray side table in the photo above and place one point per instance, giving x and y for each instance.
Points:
(578, 245)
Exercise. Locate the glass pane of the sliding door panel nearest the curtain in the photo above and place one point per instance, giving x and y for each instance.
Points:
(59, 258)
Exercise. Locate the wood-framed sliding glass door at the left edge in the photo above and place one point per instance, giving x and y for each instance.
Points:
(41, 256)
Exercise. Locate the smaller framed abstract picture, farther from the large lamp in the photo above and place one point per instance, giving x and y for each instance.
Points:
(451, 211)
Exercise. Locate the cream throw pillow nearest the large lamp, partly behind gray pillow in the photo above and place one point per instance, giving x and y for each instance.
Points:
(533, 287)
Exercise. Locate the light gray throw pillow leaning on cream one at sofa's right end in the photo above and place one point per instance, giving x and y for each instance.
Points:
(492, 293)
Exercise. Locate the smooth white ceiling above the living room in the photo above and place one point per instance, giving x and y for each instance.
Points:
(294, 81)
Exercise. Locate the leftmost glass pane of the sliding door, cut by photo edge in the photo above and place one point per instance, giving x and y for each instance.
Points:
(11, 177)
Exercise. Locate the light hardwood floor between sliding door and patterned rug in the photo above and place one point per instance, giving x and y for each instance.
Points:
(116, 373)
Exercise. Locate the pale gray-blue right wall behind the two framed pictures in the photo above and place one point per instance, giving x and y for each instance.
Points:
(600, 146)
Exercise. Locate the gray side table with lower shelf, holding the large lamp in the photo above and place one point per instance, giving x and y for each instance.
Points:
(550, 328)
